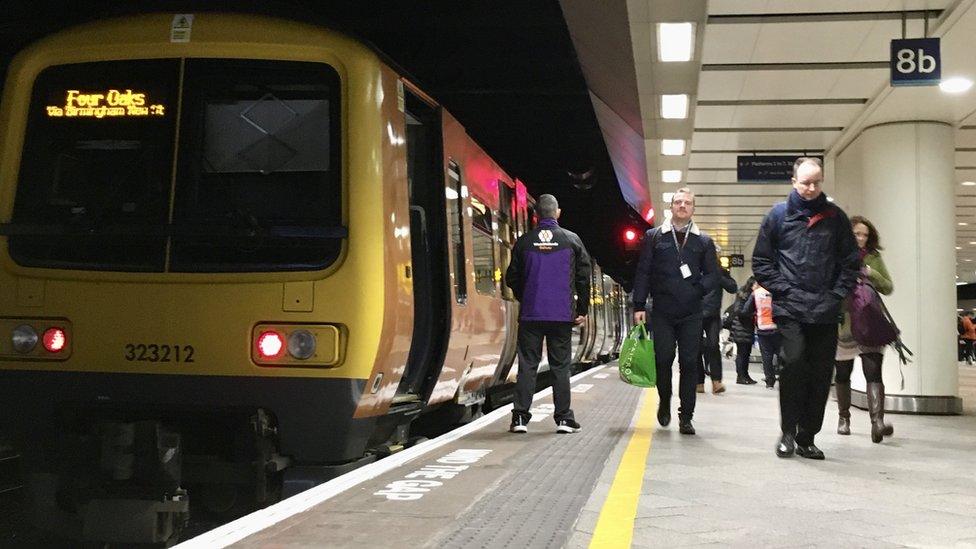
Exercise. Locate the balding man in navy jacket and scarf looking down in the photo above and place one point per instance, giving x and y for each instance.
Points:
(807, 258)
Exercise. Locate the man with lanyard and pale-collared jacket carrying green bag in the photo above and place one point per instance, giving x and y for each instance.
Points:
(677, 265)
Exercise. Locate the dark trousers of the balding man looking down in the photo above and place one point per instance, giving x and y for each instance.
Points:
(804, 383)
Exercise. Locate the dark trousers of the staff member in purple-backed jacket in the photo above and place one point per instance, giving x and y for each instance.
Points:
(558, 336)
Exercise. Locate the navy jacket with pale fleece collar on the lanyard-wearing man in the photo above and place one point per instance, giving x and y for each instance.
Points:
(659, 272)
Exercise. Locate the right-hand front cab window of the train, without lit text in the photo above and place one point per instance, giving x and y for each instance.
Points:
(258, 186)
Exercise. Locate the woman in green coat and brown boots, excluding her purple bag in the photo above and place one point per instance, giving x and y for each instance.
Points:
(875, 273)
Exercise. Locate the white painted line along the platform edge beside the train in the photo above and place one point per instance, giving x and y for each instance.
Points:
(253, 523)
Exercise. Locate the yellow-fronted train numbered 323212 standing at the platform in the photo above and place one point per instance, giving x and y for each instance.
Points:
(240, 255)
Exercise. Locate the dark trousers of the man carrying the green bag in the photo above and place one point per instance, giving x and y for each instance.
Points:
(685, 333)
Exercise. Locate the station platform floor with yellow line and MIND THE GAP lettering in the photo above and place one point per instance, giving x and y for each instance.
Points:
(485, 487)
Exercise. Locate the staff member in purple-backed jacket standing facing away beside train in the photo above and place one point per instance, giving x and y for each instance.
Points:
(550, 276)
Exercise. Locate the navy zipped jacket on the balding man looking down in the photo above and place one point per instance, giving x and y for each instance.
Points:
(806, 256)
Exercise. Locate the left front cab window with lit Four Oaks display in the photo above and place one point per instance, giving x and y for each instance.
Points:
(96, 172)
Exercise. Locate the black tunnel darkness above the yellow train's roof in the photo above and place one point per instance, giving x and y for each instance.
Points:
(510, 75)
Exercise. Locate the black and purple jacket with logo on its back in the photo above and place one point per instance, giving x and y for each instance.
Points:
(550, 274)
